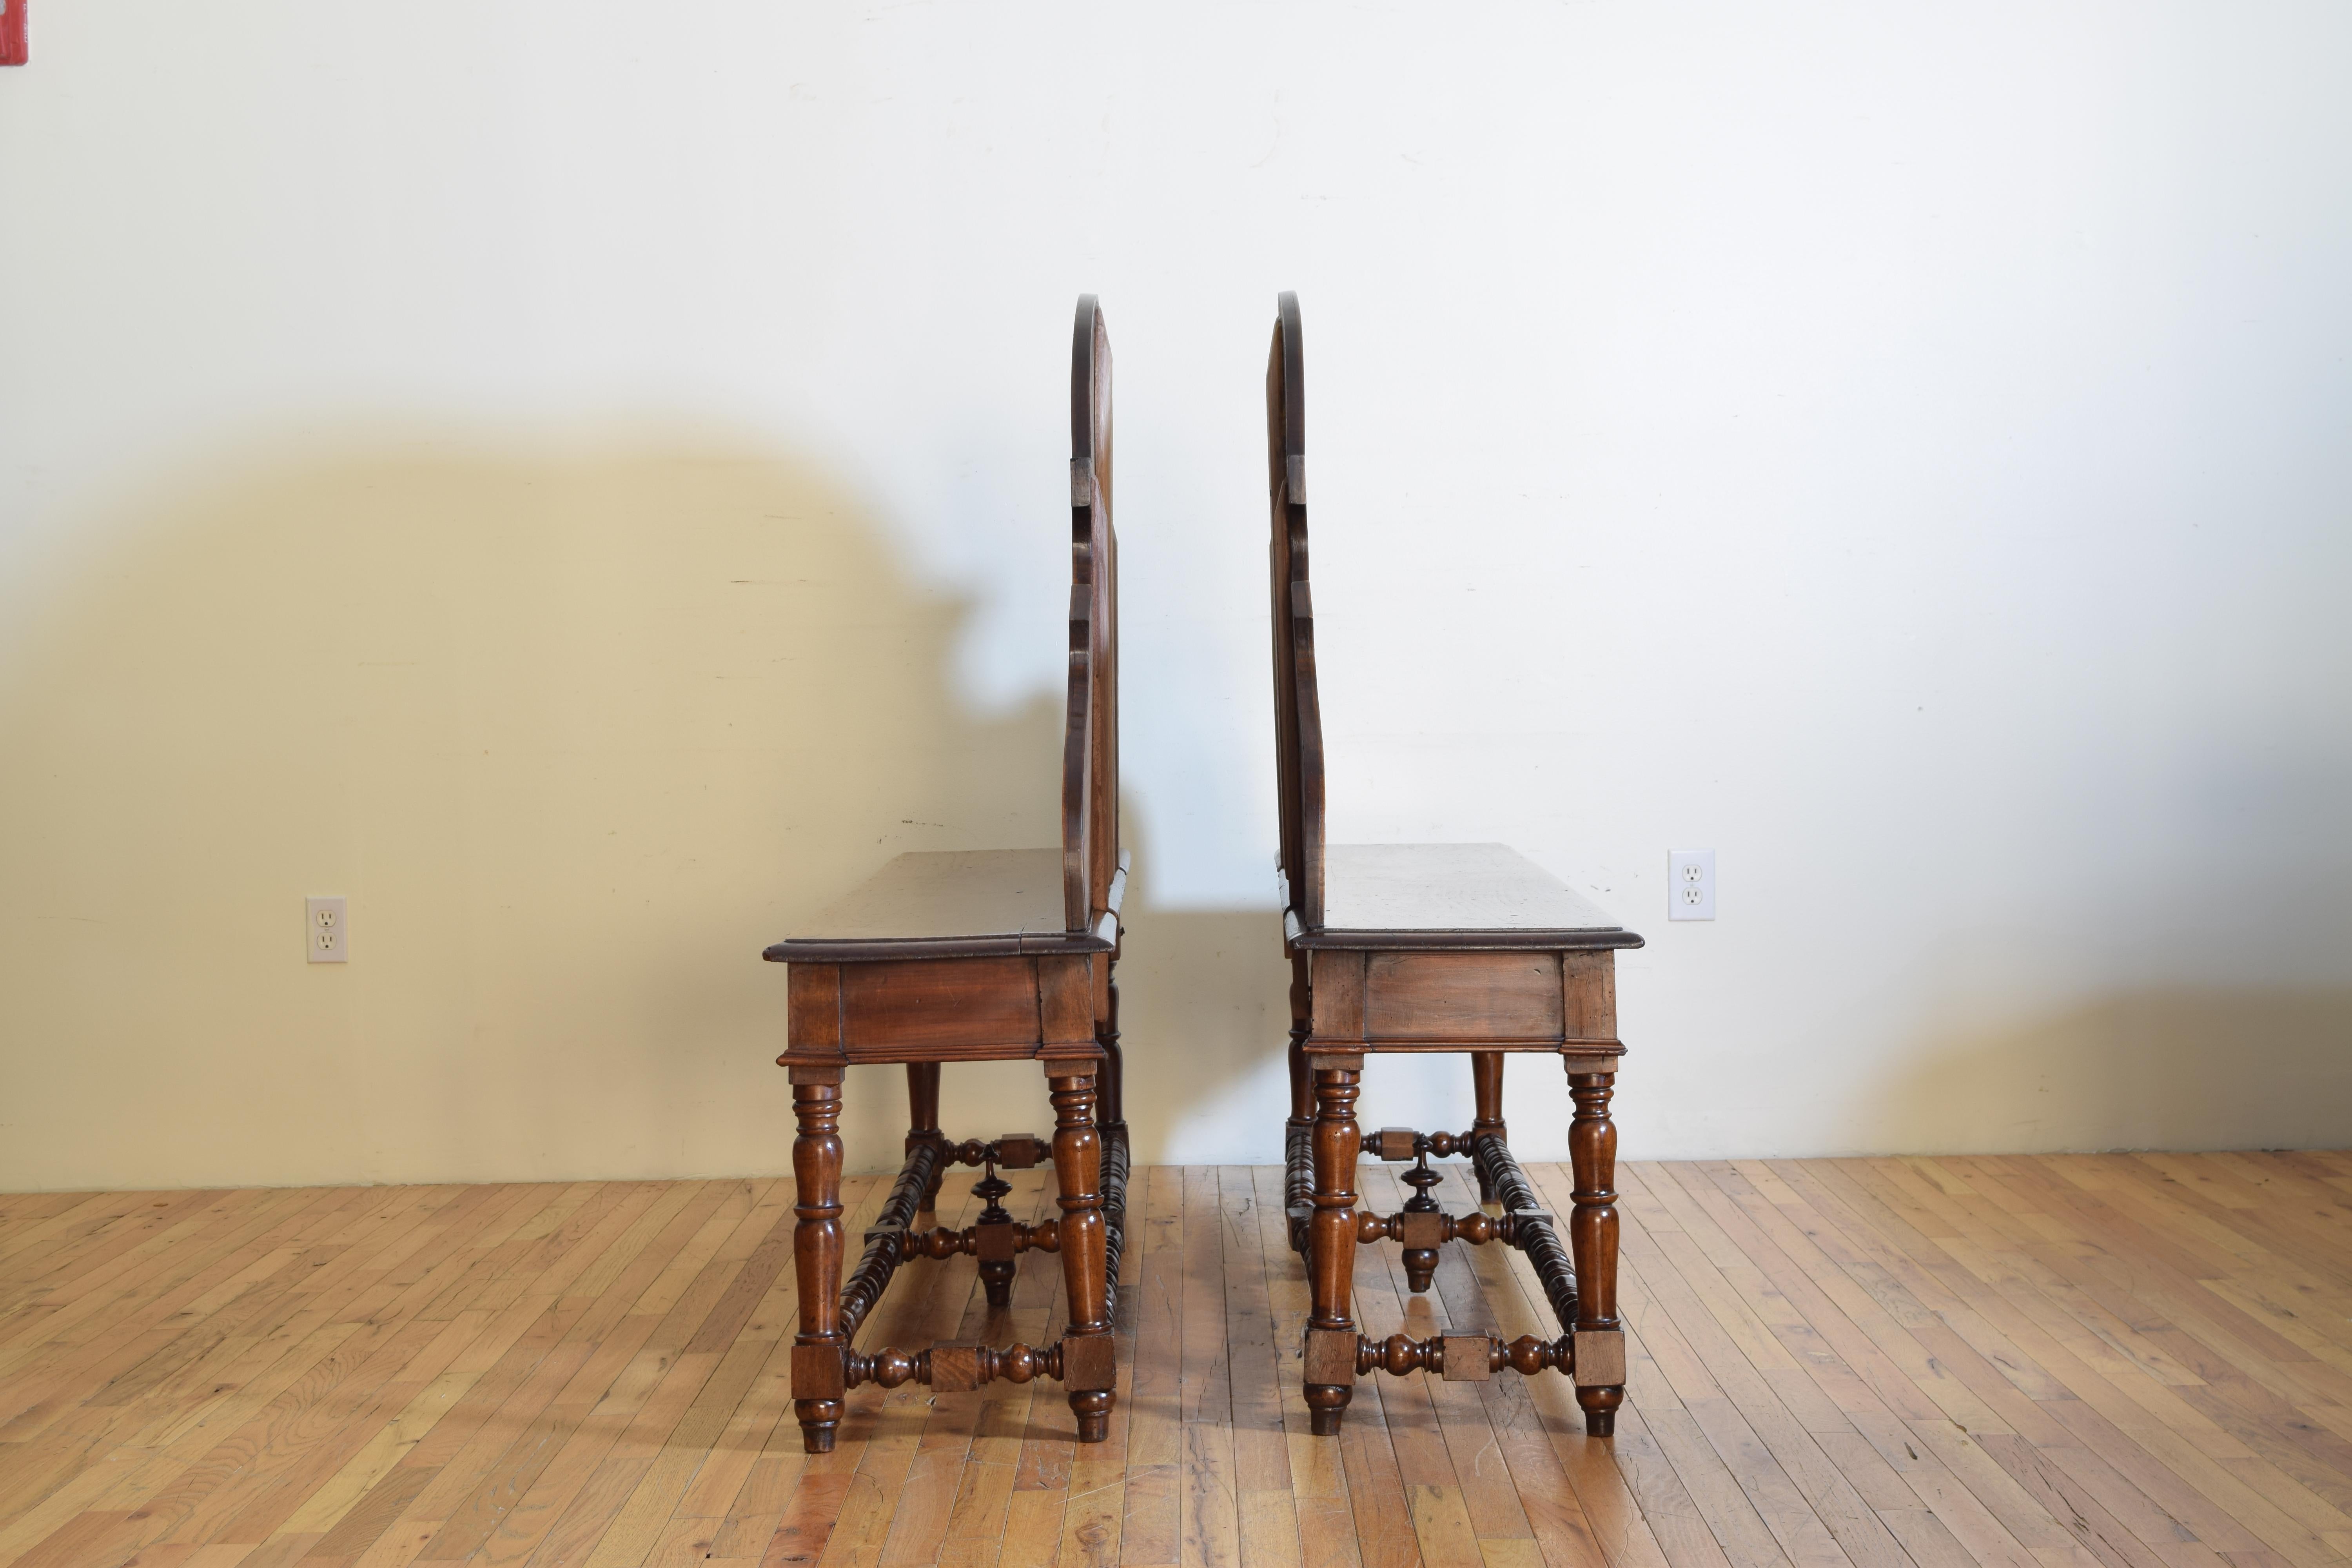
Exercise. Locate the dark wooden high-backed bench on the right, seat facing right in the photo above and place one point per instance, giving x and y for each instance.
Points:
(1429, 949)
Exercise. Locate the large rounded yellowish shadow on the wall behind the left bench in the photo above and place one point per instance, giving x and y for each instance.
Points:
(577, 735)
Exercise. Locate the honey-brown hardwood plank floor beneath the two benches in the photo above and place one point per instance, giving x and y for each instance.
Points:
(2132, 1360)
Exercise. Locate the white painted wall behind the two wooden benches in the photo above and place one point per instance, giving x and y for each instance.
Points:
(1904, 450)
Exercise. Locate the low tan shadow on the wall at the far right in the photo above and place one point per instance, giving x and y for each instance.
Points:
(2160, 1068)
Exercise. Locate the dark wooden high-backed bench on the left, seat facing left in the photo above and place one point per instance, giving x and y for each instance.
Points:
(965, 958)
